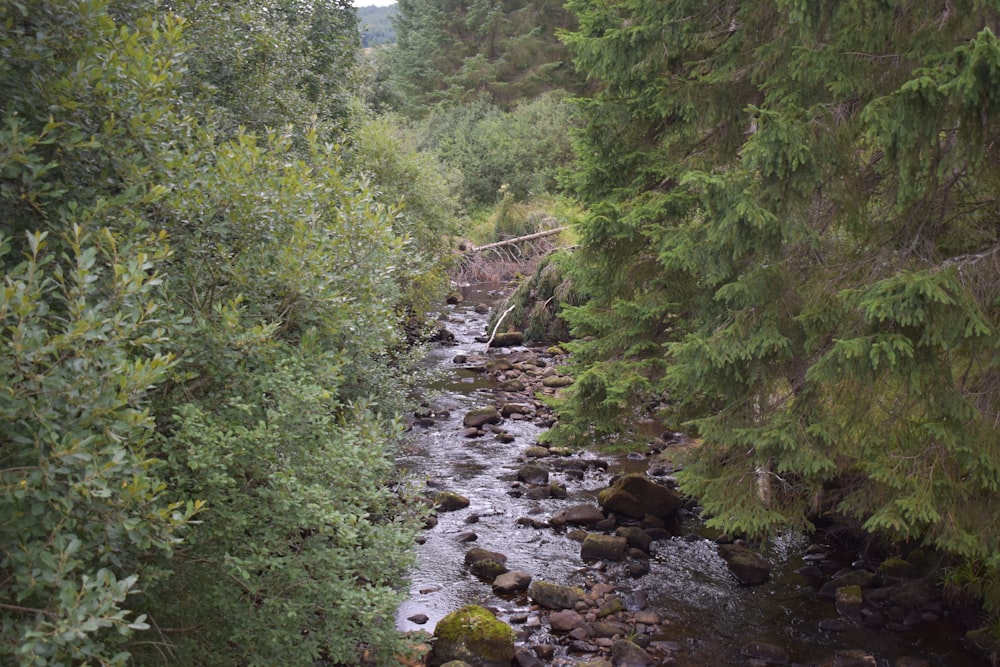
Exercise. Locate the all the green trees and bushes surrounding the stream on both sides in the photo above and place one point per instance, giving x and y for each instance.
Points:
(223, 223)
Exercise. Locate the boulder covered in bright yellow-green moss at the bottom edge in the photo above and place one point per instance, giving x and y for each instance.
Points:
(474, 635)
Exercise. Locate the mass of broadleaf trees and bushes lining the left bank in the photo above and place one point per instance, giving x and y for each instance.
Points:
(201, 315)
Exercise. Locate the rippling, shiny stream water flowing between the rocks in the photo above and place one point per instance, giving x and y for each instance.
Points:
(709, 618)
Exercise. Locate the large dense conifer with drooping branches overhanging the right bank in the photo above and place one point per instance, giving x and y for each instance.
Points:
(794, 249)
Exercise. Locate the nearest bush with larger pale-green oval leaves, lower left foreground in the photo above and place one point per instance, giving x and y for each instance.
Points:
(84, 520)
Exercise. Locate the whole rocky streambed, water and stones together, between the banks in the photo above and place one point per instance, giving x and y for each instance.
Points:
(540, 556)
